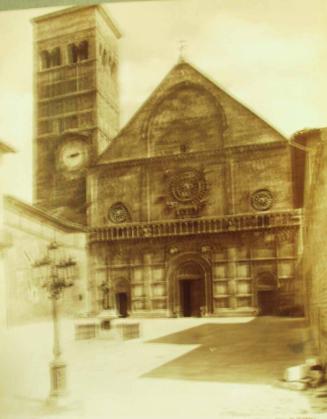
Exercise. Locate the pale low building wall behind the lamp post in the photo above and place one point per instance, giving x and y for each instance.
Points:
(31, 232)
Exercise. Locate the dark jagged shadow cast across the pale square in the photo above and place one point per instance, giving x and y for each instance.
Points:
(254, 353)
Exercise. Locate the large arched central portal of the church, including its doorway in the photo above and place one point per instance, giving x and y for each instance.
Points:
(190, 287)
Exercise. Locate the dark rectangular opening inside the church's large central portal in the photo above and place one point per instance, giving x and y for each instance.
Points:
(191, 297)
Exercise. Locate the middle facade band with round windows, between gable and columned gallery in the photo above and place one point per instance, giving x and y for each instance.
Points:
(226, 185)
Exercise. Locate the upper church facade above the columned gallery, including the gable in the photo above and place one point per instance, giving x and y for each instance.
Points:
(190, 139)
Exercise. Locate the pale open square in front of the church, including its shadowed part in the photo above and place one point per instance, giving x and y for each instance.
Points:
(179, 368)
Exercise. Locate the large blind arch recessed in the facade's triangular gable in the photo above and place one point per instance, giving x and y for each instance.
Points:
(187, 117)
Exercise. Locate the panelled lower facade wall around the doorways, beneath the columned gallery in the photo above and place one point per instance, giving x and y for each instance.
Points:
(234, 266)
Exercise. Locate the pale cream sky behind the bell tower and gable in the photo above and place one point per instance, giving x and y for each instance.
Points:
(269, 54)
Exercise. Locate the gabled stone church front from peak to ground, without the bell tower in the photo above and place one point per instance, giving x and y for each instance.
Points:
(193, 209)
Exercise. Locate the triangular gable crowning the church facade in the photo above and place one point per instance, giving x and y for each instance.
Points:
(238, 124)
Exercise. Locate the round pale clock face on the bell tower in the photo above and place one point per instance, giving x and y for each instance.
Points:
(73, 155)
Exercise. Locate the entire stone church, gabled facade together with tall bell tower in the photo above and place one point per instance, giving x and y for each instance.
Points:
(192, 209)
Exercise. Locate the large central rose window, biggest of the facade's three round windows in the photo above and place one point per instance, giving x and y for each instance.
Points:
(188, 185)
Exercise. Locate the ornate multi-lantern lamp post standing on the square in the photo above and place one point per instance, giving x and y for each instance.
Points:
(56, 272)
